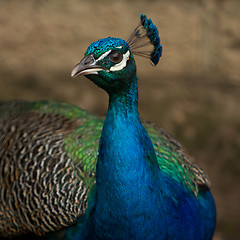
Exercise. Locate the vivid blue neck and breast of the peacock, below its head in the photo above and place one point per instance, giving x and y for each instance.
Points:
(134, 199)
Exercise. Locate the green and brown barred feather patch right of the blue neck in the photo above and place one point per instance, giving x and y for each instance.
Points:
(175, 162)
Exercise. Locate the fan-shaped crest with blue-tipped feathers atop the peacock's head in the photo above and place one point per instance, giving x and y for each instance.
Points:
(145, 34)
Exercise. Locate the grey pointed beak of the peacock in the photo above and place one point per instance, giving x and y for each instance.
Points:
(86, 66)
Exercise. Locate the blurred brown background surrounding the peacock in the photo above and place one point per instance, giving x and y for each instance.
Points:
(194, 92)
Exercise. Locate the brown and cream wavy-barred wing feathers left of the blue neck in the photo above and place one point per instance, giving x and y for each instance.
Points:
(40, 190)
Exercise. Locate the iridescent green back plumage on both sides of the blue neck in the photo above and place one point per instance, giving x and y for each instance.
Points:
(170, 154)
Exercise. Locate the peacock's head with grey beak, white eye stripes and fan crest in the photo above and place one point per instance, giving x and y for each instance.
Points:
(109, 62)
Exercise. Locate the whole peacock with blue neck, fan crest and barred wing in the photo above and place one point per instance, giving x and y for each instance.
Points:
(68, 174)
